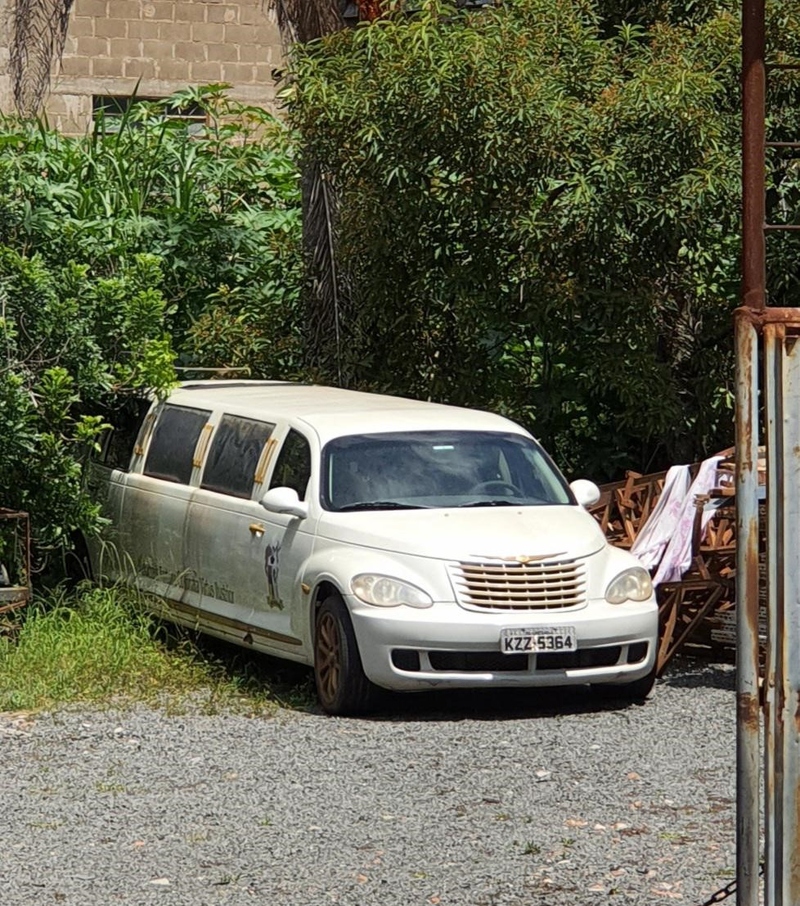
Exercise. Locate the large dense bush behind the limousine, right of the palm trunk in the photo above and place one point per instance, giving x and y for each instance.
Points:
(539, 213)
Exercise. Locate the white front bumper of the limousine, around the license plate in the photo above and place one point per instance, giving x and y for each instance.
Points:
(447, 646)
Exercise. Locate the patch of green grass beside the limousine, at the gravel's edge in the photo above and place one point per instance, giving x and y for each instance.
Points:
(102, 645)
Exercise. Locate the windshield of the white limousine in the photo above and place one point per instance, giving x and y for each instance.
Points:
(423, 469)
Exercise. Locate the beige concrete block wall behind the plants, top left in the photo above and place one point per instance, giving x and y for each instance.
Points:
(164, 45)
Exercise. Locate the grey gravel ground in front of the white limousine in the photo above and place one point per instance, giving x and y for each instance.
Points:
(458, 800)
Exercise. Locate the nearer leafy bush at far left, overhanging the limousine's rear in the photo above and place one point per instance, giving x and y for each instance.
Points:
(70, 347)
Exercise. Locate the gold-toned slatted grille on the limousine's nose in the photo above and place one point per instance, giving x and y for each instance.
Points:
(500, 585)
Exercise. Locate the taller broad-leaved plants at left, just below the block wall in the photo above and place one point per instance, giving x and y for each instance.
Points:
(217, 204)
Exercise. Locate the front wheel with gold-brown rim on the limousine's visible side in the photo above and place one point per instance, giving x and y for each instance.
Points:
(342, 686)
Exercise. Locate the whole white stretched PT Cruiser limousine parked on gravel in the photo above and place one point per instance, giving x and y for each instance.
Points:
(387, 542)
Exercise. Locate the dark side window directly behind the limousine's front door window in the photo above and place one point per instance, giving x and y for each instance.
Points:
(234, 455)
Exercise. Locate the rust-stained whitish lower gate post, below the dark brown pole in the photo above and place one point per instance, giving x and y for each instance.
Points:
(747, 576)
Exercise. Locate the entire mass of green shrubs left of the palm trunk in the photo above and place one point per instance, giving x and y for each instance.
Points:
(120, 250)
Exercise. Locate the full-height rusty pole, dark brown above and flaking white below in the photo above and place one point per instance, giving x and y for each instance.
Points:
(753, 297)
